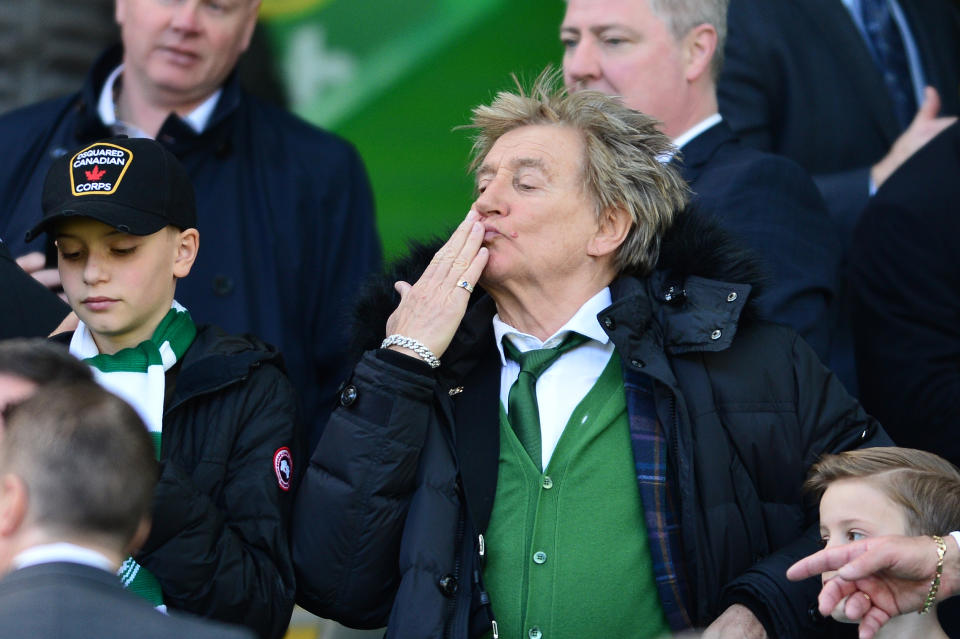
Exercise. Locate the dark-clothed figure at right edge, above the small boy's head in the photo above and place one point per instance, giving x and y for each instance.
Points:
(907, 300)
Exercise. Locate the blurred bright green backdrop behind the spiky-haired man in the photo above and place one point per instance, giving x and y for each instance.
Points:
(395, 78)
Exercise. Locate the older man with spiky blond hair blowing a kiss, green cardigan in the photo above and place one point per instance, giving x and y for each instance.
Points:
(574, 424)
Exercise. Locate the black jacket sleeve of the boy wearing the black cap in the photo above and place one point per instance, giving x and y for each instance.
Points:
(228, 558)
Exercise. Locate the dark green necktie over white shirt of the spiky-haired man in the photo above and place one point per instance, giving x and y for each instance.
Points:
(523, 414)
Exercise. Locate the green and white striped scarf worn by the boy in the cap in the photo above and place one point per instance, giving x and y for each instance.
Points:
(137, 375)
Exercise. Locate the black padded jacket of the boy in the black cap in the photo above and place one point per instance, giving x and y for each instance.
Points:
(219, 542)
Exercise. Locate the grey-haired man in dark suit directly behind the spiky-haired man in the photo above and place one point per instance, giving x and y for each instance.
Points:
(663, 58)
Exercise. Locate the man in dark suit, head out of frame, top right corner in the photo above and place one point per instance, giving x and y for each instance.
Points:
(806, 79)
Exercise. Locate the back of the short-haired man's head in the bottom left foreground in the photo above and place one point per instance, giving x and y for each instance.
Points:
(76, 465)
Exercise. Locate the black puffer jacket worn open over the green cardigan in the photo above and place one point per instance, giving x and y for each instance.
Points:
(388, 522)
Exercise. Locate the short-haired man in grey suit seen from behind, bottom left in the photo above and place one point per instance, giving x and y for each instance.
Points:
(77, 472)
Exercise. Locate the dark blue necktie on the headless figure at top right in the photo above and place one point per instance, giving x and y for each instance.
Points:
(890, 56)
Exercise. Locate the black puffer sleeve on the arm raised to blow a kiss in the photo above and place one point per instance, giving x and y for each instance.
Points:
(351, 507)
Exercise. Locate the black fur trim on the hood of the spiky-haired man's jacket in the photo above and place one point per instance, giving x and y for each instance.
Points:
(694, 246)
